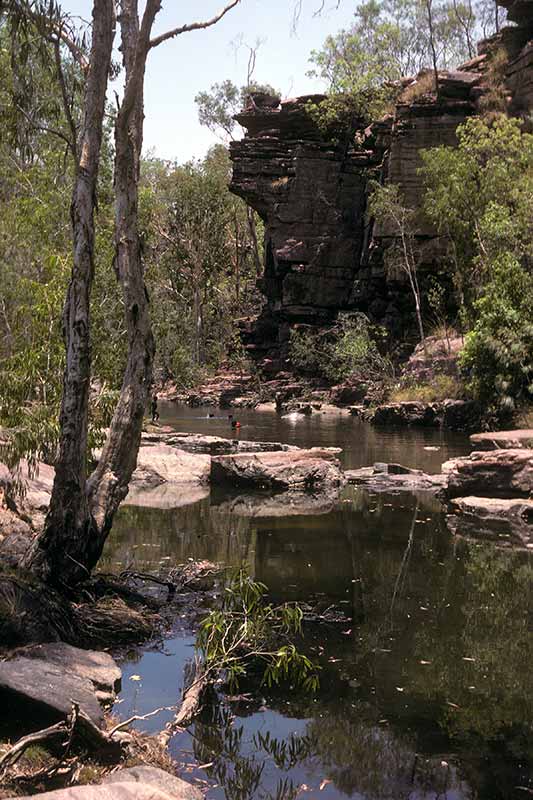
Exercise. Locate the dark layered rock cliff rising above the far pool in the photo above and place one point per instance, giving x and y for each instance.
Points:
(323, 254)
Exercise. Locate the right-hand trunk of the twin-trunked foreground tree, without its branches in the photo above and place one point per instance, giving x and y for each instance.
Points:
(108, 485)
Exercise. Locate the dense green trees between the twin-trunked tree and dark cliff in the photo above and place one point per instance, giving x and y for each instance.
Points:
(201, 267)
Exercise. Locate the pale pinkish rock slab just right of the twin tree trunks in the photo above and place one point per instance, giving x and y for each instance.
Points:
(160, 463)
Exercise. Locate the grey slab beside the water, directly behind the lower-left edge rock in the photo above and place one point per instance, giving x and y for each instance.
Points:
(93, 665)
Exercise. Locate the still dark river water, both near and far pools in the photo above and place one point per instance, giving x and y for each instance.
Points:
(426, 685)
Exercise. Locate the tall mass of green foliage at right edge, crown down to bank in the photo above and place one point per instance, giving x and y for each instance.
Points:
(481, 195)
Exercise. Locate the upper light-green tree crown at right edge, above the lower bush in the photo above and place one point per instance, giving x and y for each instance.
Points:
(480, 194)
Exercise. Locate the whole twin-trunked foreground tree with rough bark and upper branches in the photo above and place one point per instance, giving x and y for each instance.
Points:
(82, 507)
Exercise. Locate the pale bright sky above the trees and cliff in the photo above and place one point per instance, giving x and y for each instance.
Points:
(178, 69)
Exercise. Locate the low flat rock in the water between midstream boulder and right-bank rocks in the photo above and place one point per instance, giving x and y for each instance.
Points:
(395, 477)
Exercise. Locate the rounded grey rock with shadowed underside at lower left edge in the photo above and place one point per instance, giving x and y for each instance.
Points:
(44, 690)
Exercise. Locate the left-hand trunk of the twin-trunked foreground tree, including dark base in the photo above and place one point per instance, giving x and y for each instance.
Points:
(59, 551)
